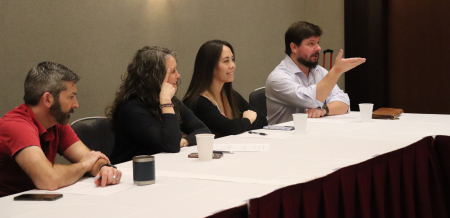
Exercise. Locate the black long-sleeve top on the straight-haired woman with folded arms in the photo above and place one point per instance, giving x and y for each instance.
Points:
(220, 125)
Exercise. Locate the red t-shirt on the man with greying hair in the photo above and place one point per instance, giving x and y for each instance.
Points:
(19, 129)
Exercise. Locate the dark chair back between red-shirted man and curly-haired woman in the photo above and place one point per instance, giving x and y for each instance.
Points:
(95, 133)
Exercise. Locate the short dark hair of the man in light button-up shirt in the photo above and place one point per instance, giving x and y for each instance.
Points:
(299, 31)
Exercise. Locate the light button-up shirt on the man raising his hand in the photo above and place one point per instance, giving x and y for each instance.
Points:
(289, 91)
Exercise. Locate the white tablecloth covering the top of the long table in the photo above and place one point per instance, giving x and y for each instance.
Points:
(187, 187)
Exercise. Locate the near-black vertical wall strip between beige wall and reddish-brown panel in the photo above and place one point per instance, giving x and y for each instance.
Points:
(366, 36)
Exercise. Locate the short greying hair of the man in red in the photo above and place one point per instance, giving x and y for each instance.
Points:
(47, 77)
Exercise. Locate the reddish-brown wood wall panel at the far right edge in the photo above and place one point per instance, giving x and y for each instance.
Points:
(419, 50)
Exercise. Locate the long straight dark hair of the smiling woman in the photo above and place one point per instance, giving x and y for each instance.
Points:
(206, 61)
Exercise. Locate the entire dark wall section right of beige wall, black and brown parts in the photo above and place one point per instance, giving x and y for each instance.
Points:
(407, 46)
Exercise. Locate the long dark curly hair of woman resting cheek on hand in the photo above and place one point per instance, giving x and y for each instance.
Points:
(143, 80)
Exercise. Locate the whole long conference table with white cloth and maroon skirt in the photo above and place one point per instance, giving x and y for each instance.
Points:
(342, 167)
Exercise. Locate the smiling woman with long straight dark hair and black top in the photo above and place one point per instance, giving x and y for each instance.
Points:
(211, 96)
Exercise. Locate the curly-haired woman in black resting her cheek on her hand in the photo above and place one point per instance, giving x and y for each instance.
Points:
(146, 115)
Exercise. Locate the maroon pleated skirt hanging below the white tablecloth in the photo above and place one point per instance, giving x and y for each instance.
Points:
(410, 182)
